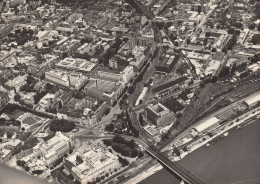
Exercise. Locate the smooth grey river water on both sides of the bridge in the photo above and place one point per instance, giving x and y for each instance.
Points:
(233, 160)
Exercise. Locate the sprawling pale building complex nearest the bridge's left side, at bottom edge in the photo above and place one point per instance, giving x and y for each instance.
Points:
(90, 162)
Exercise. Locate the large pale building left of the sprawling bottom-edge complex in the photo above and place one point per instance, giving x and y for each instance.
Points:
(54, 148)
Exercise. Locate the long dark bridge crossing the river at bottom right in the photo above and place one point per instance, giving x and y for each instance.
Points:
(173, 166)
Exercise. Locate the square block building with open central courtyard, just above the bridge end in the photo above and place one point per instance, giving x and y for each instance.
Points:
(158, 114)
